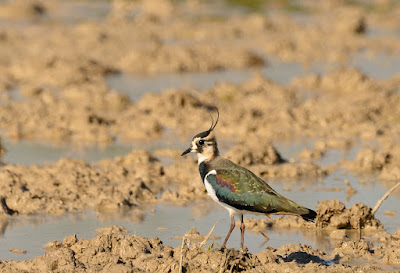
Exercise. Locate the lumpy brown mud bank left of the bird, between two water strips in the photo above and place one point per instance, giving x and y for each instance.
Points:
(73, 185)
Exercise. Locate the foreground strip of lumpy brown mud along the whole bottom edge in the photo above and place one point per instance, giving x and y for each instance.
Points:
(115, 250)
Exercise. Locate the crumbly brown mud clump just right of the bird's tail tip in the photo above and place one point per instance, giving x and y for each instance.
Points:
(333, 214)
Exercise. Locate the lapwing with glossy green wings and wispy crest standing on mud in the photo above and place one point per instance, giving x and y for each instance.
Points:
(236, 188)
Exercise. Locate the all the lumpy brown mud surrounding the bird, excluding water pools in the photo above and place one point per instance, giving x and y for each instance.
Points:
(53, 88)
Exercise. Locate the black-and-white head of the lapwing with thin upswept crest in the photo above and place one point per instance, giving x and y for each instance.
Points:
(204, 143)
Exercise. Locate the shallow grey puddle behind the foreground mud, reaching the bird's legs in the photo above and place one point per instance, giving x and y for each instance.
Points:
(169, 223)
